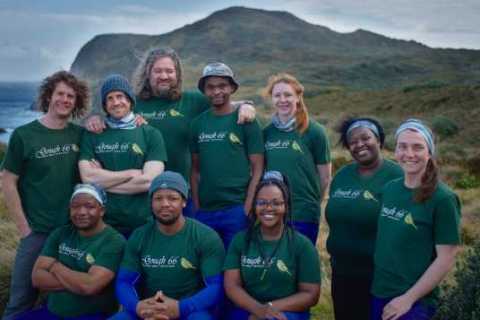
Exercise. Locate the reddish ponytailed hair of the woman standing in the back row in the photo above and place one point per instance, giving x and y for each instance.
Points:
(301, 116)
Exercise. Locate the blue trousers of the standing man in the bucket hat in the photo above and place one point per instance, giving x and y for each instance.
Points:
(226, 222)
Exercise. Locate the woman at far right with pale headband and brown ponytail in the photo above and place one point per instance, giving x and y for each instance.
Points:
(418, 231)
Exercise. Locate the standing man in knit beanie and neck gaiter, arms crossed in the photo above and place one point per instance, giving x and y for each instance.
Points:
(123, 159)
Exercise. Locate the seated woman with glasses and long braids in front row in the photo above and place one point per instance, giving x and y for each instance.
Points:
(271, 270)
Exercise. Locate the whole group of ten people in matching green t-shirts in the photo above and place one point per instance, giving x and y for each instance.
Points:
(178, 205)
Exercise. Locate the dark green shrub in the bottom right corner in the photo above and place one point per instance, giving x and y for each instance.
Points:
(461, 301)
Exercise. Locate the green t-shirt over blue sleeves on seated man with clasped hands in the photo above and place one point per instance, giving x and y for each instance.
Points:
(176, 264)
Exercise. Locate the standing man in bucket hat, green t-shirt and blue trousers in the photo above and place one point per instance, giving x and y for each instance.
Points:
(227, 158)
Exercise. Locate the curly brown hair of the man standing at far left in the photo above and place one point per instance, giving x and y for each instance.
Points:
(48, 85)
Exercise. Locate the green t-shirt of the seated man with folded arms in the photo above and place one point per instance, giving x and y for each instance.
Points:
(79, 253)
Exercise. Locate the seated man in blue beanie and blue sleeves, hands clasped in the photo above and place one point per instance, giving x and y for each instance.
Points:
(179, 260)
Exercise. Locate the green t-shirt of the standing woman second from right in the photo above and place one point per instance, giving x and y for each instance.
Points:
(352, 215)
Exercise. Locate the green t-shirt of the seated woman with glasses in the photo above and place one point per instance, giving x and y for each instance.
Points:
(294, 260)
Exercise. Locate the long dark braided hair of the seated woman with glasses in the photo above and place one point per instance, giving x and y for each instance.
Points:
(287, 218)
